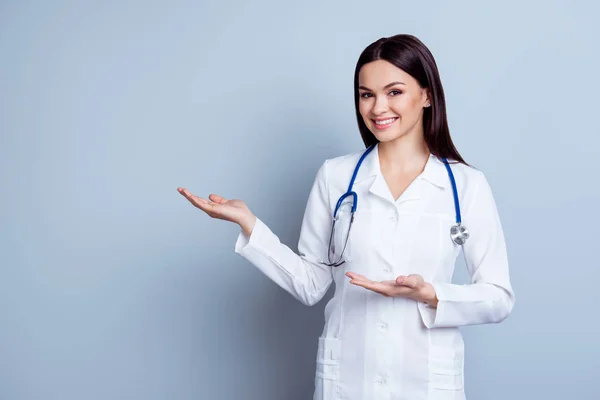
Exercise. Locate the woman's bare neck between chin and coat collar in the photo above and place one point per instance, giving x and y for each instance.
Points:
(407, 153)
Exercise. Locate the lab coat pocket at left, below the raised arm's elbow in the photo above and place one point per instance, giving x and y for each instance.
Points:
(328, 368)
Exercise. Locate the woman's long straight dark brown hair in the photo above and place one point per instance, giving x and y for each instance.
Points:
(410, 55)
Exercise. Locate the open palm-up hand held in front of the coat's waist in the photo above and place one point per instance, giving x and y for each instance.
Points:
(412, 286)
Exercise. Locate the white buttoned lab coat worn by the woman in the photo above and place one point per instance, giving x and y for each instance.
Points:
(377, 347)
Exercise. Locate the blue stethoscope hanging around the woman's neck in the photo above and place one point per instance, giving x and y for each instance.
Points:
(458, 232)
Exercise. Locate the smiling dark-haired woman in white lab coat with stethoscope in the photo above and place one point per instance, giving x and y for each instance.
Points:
(391, 328)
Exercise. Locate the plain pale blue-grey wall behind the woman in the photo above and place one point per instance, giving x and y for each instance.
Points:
(112, 286)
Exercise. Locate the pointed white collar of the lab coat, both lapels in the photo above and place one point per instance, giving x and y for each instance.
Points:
(434, 171)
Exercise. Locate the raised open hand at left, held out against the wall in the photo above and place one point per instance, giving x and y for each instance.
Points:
(229, 210)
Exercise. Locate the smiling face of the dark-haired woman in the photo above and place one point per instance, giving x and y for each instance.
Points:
(391, 101)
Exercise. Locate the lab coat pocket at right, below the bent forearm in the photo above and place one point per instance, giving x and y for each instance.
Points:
(446, 369)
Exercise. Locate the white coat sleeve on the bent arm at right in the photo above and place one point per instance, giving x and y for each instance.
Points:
(489, 297)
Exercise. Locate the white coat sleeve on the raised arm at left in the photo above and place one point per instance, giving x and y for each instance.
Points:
(301, 275)
